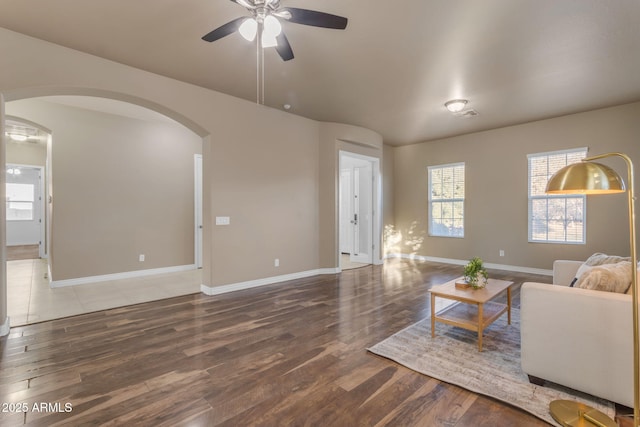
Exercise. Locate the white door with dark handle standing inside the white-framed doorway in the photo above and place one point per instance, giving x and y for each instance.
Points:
(362, 213)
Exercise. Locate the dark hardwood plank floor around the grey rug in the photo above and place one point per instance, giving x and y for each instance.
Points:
(290, 354)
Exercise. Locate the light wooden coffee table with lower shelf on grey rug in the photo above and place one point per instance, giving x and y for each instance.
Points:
(477, 310)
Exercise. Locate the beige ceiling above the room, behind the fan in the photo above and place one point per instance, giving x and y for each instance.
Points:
(391, 70)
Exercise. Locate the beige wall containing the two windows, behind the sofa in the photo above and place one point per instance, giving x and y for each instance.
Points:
(496, 189)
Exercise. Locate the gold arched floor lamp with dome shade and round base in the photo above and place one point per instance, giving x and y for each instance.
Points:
(587, 178)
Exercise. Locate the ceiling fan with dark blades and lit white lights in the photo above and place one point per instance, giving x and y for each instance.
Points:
(264, 23)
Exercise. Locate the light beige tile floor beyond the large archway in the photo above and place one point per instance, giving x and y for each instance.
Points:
(30, 299)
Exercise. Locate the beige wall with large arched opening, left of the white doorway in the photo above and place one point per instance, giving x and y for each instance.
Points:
(265, 168)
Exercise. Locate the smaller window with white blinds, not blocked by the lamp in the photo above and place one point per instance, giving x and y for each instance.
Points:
(446, 200)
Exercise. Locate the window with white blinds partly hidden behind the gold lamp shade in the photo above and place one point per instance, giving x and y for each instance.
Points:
(554, 218)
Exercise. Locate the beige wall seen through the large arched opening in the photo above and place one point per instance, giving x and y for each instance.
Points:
(122, 187)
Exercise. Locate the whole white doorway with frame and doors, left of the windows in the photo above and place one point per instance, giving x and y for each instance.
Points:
(357, 217)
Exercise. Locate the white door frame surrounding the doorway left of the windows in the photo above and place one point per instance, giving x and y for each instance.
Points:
(376, 202)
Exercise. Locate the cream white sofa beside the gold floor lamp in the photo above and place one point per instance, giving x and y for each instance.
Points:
(579, 338)
